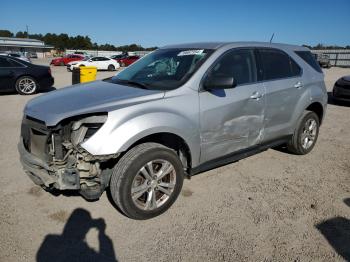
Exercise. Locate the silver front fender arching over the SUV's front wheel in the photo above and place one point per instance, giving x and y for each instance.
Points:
(118, 134)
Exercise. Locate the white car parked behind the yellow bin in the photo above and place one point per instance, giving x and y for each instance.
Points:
(101, 62)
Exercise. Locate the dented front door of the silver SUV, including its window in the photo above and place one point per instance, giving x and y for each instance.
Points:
(232, 119)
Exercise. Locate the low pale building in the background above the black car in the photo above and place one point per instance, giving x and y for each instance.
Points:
(24, 45)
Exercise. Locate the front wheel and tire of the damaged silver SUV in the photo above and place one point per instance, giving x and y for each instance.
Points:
(146, 181)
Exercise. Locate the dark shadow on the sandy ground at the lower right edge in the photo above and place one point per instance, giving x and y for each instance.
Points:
(337, 232)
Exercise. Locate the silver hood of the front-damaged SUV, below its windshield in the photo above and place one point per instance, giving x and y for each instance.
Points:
(94, 97)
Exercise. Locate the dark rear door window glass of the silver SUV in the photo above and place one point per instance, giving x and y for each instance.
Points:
(277, 64)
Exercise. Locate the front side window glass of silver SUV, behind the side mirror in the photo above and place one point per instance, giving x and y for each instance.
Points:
(239, 64)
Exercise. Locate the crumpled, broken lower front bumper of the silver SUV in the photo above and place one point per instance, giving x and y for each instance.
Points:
(44, 175)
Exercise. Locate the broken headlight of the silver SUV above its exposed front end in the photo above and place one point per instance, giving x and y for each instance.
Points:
(85, 128)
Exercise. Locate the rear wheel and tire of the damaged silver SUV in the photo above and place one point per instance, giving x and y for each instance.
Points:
(305, 135)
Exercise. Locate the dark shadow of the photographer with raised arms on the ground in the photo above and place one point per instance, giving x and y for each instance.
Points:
(71, 244)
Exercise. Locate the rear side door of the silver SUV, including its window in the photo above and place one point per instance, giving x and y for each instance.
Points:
(282, 78)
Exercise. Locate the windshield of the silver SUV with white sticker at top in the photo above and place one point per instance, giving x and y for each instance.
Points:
(163, 69)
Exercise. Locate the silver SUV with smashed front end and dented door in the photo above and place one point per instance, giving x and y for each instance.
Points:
(176, 112)
